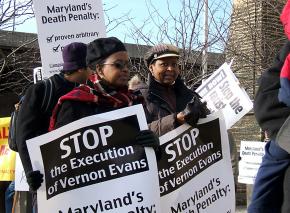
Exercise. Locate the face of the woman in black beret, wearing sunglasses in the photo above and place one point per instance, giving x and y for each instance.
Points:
(115, 69)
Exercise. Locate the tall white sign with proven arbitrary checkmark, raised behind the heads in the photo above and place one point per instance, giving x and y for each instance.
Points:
(62, 22)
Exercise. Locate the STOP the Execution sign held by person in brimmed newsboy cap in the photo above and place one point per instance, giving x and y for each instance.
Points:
(195, 173)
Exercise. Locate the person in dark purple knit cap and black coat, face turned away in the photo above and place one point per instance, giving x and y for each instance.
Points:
(32, 120)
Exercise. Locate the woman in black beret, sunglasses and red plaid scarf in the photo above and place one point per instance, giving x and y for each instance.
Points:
(108, 58)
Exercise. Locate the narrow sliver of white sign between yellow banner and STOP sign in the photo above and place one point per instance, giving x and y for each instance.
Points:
(20, 178)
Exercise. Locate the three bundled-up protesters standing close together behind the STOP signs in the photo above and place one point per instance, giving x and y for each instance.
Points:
(94, 80)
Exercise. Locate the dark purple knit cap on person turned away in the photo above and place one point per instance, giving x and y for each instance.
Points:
(74, 56)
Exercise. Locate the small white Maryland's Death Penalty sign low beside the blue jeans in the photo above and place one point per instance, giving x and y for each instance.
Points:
(251, 153)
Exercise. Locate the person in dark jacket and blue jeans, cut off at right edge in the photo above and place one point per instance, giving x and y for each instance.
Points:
(267, 194)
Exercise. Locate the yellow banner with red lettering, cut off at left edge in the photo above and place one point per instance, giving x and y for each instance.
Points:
(7, 156)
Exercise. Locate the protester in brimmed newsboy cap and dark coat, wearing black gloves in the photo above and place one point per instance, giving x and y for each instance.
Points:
(168, 101)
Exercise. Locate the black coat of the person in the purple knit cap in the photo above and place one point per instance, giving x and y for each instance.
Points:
(32, 121)
